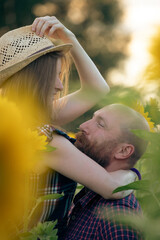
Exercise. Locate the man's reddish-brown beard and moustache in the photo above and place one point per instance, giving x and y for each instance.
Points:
(99, 153)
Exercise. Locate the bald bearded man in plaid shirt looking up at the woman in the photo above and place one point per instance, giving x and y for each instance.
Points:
(107, 139)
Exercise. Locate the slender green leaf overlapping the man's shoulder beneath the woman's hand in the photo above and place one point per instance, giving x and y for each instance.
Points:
(138, 185)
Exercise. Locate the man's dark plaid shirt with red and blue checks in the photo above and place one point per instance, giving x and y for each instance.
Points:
(89, 218)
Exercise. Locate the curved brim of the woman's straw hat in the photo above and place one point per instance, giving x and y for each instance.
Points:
(8, 72)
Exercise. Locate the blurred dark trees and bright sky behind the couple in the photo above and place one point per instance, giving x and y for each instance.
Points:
(117, 35)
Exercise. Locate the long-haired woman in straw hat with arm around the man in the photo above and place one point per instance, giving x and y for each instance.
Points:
(31, 68)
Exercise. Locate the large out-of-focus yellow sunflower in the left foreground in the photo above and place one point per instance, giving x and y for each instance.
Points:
(19, 151)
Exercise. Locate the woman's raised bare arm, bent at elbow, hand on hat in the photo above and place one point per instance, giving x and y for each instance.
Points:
(93, 85)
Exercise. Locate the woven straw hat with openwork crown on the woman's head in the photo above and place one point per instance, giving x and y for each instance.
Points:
(20, 47)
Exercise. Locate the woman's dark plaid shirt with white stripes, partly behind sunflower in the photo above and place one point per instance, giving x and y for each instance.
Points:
(49, 183)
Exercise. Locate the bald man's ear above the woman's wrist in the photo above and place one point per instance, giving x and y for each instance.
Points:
(124, 151)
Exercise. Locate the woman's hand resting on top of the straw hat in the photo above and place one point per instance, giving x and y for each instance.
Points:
(52, 27)
